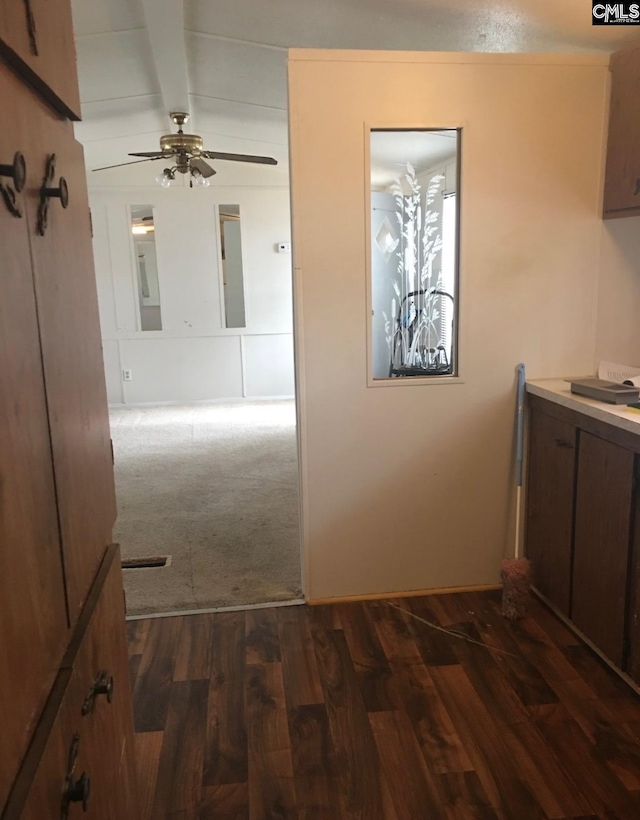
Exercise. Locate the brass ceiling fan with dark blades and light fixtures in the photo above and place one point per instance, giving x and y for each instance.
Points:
(187, 151)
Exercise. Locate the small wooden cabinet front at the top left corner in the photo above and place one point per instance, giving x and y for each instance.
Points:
(36, 37)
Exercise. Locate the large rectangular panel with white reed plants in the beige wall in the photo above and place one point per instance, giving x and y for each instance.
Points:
(414, 252)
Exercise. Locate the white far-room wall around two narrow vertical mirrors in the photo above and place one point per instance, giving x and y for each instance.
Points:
(194, 357)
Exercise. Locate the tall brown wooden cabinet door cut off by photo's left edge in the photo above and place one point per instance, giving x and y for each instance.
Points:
(33, 619)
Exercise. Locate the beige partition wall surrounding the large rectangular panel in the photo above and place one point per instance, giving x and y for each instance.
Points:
(410, 486)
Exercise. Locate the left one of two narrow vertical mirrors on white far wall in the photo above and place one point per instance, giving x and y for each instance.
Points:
(144, 246)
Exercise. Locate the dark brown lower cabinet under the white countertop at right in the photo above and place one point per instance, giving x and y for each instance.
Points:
(581, 524)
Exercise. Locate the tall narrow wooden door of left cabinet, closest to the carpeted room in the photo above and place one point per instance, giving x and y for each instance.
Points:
(72, 356)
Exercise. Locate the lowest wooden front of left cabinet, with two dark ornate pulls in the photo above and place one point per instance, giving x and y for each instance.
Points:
(92, 733)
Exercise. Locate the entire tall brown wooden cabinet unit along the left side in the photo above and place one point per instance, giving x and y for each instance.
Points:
(61, 598)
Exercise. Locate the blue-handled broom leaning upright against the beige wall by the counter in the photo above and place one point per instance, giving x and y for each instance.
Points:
(516, 571)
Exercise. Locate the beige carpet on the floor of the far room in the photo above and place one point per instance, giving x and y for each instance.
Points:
(216, 487)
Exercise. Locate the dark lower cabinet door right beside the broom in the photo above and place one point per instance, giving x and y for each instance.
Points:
(549, 523)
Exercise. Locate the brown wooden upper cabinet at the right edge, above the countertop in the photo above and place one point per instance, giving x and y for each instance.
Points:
(622, 180)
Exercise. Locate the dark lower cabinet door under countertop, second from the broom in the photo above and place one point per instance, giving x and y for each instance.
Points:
(601, 547)
